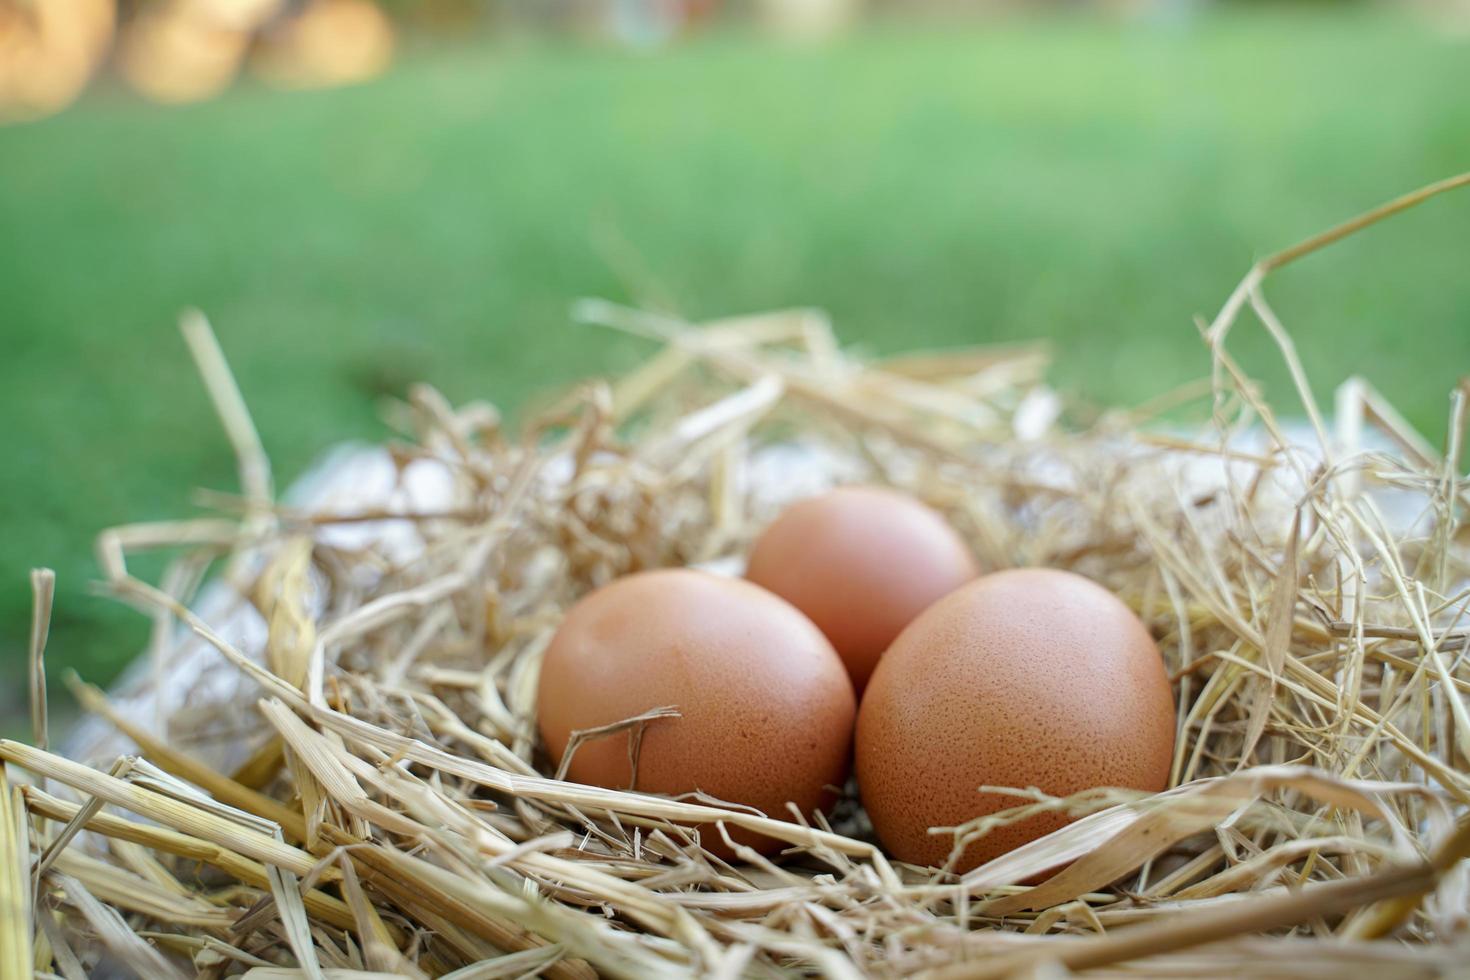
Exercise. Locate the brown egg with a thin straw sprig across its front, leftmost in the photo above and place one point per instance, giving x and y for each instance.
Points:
(767, 709)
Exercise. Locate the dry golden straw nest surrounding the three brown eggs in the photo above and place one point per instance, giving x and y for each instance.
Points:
(395, 816)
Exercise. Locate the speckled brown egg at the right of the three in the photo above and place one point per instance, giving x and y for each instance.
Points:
(1028, 678)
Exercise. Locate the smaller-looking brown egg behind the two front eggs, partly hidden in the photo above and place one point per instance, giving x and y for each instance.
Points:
(862, 562)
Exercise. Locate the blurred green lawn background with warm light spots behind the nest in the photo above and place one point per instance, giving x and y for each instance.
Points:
(367, 195)
